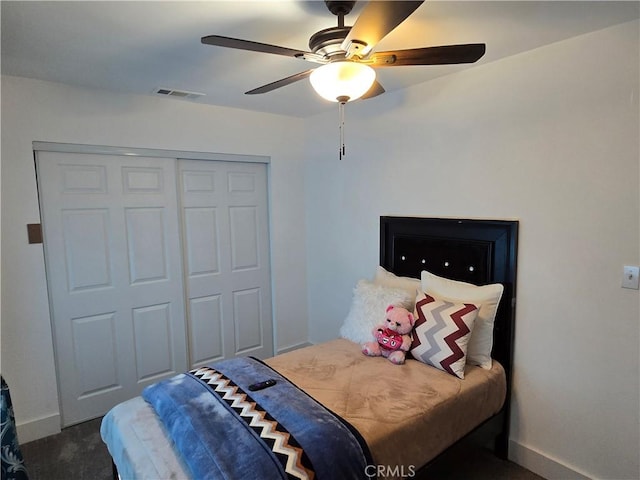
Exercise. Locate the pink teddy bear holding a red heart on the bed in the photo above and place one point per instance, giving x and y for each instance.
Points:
(393, 338)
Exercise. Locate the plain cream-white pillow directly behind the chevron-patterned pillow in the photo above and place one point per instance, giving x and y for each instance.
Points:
(488, 296)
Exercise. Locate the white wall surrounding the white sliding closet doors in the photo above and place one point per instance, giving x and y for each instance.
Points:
(39, 111)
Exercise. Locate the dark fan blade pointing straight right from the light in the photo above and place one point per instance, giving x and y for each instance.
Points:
(445, 55)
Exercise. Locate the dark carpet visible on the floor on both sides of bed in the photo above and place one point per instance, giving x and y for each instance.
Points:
(77, 453)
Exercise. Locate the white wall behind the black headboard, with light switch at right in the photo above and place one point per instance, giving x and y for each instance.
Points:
(551, 138)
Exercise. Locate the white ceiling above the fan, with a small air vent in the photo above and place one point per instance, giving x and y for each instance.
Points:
(136, 47)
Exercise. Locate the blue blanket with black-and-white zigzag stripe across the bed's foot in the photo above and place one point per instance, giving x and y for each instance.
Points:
(224, 431)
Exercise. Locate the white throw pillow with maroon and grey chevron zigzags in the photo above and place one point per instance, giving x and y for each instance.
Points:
(442, 332)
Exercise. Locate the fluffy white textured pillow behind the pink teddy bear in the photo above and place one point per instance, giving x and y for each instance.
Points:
(368, 309)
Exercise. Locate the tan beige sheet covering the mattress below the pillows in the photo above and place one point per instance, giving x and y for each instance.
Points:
(407, 413)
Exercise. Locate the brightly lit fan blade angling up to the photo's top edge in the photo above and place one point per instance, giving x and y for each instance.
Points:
(377, 19)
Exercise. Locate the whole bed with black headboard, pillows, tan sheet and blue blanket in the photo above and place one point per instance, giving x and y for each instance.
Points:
(343, 414)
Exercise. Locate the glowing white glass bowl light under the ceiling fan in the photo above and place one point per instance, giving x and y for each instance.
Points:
(337, 80)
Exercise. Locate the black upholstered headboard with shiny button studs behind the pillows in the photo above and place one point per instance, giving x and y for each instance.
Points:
(473, 251)
